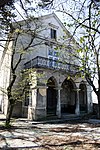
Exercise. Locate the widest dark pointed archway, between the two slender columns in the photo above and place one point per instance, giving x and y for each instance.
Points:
(68, 96)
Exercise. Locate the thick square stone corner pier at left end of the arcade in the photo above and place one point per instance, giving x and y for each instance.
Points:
(38, 108)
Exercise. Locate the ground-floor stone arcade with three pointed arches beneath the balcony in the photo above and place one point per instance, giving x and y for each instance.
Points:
(59, 96)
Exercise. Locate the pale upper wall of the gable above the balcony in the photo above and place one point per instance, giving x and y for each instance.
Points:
(43, 35)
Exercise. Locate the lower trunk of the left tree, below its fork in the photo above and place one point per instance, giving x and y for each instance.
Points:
(9, 113)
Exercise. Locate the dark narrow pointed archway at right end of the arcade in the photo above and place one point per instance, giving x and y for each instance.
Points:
(83, 97)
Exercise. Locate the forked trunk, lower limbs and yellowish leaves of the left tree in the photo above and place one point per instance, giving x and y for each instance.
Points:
(13, 90)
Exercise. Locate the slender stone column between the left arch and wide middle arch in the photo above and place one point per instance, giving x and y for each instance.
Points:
(58, 112)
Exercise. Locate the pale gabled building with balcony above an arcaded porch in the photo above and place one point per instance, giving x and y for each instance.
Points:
(54, 88)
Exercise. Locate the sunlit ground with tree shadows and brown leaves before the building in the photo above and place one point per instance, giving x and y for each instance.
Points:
(66, 135)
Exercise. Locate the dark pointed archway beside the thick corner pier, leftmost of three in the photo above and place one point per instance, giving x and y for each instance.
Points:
(51, 96)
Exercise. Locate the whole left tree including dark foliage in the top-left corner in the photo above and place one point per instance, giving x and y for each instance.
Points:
(13, 31)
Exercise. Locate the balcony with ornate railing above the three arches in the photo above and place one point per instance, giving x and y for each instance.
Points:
(42, 62)
